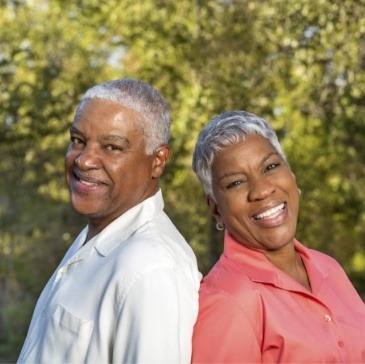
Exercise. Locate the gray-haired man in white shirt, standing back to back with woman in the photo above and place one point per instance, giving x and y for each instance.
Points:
(127, 289)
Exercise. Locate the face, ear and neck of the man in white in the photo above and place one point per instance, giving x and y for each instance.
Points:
(107, 168)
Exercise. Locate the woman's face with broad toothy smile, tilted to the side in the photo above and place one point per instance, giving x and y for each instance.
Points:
(256, 194)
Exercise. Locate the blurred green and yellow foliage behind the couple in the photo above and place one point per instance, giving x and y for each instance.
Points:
(299, 64)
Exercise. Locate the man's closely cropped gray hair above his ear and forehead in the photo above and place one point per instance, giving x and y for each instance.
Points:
(141, 97)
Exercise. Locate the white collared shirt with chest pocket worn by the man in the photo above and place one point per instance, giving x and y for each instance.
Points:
(130, 295)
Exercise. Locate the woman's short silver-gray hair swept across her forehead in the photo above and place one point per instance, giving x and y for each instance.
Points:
(223, 130)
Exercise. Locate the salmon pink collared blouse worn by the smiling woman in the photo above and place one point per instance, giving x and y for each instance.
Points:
(250, 311)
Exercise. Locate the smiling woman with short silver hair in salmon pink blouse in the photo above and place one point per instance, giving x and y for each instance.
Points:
(268, 299)
